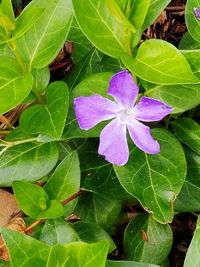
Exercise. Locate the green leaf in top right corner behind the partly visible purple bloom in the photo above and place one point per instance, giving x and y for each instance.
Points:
(192, 23)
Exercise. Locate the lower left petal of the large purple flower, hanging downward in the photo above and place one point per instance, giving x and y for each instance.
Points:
(113, 143)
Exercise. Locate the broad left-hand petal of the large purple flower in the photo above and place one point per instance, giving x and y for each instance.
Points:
(91, 110)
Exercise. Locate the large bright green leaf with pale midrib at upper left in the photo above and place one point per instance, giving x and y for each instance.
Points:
(35, 46)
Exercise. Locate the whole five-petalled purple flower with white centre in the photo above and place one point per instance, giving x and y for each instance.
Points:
(91, 110)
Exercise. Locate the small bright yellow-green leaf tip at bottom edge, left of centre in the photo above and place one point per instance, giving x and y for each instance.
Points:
(57, 257)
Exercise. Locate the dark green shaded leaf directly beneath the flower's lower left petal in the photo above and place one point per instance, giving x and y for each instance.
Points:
(98, 175)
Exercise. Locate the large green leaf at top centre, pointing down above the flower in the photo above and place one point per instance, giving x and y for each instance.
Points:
(102, 21)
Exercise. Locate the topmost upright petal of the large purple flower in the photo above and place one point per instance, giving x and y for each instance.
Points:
(123, 89)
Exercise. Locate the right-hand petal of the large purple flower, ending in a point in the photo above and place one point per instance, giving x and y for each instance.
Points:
(149, 109)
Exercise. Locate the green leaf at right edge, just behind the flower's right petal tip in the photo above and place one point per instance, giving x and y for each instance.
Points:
(180, 97)
